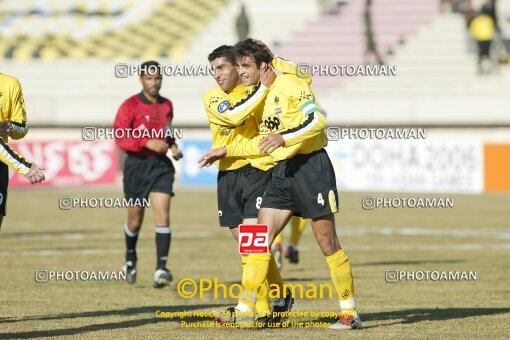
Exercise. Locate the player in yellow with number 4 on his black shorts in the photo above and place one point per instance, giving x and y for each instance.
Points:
(303, 182)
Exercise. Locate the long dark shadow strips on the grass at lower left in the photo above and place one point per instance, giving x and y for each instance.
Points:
(134, 311)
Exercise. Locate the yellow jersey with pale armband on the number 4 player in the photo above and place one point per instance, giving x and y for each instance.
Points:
(290, 110)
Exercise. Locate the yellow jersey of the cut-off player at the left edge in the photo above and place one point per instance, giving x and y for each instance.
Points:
(12, 108)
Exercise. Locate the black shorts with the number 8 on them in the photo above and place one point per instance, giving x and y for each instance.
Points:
(240, 194)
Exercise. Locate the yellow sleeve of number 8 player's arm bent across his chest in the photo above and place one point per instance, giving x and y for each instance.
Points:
(233, 114)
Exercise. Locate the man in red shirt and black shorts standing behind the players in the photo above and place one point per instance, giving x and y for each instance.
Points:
(148, 172)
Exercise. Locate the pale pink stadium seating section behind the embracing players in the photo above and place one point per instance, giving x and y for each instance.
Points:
(340, 39)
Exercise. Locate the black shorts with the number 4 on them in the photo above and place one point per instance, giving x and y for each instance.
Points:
(304, 184)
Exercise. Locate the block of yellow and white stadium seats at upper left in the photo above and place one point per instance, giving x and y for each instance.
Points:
(103, 29)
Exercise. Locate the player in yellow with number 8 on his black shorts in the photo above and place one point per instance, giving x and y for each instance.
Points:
(232, 118)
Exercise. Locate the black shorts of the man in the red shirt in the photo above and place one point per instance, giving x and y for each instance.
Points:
(145, 175)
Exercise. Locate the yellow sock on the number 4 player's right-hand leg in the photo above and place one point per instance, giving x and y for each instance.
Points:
(341, 275)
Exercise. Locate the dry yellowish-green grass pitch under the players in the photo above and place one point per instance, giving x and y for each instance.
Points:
(473, 236)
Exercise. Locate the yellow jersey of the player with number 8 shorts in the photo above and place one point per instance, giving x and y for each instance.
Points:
(234, 117)
